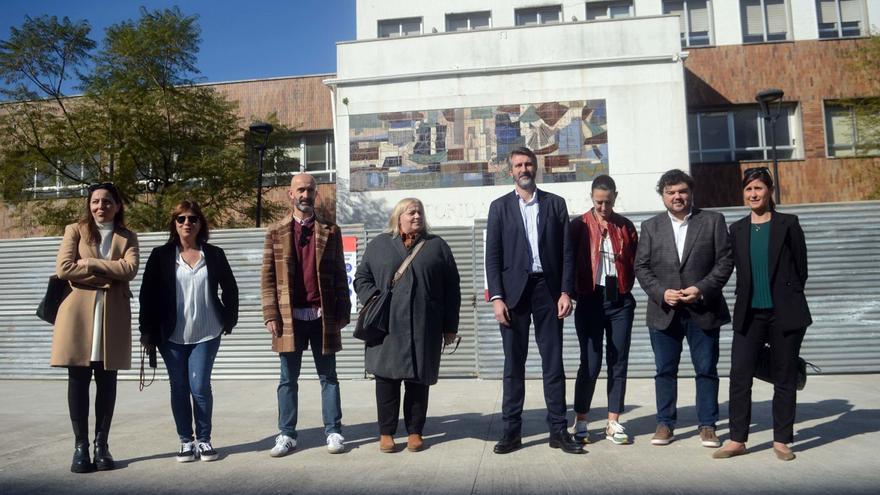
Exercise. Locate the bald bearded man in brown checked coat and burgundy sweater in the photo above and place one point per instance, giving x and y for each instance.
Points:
(305, 303)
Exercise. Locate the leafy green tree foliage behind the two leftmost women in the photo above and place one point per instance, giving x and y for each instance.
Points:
(142, 122)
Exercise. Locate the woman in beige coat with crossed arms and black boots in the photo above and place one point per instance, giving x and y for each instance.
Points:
(98, 257)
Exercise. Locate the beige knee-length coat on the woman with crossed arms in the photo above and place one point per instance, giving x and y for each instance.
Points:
(72, 338)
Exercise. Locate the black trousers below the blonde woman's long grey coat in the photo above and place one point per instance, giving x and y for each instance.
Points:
(415, 405)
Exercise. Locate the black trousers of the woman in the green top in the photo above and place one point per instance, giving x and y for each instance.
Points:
(785, 348)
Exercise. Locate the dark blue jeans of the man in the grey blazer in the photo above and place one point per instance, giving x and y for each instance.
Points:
(667, 346)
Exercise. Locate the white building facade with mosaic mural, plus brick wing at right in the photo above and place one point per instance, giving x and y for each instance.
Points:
(432, 95)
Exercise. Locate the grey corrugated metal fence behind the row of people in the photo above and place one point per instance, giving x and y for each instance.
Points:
(843, 241)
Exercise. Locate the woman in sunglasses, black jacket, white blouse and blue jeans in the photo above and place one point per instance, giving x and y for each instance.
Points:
(183, 316)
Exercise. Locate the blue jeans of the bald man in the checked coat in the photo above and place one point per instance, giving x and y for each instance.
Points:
(308, 333)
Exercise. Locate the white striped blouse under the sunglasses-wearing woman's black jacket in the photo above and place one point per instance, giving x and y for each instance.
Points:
(198, 320)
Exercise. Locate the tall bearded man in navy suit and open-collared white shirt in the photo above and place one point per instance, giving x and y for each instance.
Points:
(530, 274)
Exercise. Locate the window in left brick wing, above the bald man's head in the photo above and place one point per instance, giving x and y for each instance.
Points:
(310, 152)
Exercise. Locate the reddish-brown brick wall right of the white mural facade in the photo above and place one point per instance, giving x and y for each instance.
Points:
(809, 72)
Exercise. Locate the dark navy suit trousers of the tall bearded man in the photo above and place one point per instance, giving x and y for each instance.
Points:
(537, 303)
